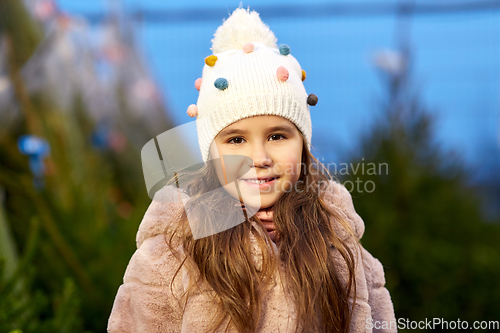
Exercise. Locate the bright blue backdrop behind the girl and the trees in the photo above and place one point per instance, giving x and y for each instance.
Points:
(456, 69)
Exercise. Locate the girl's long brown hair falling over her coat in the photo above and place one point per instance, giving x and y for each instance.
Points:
(303, 221)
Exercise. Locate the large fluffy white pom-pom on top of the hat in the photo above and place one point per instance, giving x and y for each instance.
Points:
(243, 26)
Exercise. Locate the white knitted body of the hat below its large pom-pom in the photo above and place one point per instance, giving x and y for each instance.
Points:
(253, 89)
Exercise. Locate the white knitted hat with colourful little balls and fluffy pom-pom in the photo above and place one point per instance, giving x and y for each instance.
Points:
(248, 75)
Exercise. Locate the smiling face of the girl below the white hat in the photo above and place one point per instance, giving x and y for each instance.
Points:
(274, 144)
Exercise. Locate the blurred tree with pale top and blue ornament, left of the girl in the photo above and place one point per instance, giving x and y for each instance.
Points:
(70, 209)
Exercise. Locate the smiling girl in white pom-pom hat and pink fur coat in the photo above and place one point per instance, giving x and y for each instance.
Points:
(266, 242)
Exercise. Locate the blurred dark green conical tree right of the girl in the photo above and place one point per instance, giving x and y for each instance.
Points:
(423, 220)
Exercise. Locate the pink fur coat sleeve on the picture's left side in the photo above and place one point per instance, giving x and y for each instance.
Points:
(145, 302)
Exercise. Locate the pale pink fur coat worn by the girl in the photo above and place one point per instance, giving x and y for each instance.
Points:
(145, 303)
